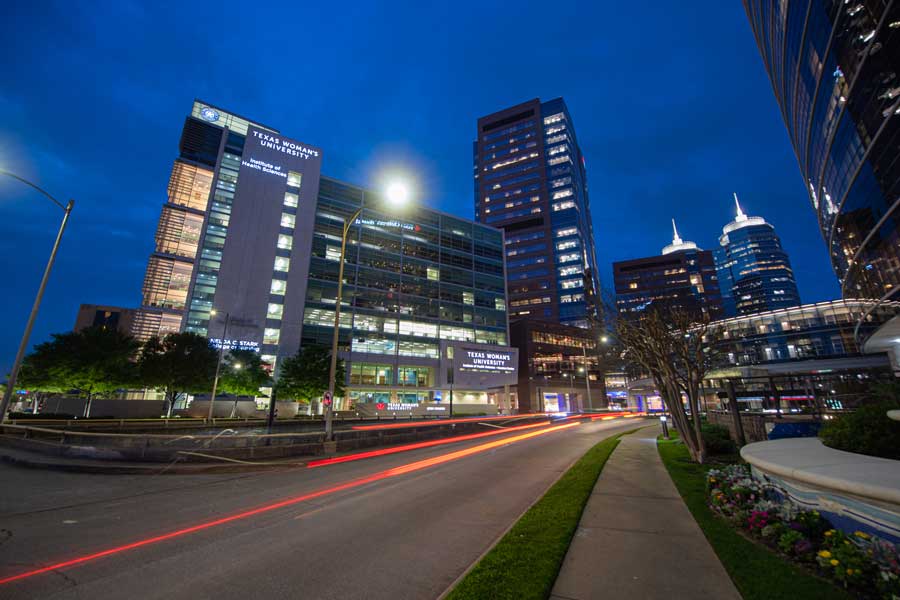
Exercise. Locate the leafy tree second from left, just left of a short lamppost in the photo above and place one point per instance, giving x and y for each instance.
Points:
(178, 363)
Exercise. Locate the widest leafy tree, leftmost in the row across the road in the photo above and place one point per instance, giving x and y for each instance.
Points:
(93, 361)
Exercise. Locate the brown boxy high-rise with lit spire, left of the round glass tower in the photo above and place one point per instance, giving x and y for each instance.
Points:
(683, 276)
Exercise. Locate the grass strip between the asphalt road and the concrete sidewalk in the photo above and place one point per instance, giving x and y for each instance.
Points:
(525, 562)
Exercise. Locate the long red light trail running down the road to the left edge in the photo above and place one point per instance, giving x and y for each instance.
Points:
(393, 472)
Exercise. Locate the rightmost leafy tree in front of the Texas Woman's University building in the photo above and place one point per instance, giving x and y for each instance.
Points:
(304, 376)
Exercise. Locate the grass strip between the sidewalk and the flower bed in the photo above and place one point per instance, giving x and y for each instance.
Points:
(757, 572)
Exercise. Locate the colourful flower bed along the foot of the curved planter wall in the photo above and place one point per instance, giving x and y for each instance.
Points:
(861, 563)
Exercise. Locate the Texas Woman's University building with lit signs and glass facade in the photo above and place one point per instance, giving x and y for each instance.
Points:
(253, 232)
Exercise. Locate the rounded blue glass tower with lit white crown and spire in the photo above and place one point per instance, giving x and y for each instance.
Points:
(754, 271)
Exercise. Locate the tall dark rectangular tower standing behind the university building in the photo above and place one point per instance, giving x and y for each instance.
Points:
(530, 181)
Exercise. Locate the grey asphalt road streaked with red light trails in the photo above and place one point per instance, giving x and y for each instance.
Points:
(408, 535)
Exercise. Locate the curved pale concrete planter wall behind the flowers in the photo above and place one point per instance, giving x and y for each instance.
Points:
(853, 491)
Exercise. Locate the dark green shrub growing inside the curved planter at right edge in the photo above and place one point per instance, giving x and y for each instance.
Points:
(868, 430)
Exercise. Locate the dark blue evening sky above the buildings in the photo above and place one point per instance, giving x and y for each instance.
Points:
(670, 100)
